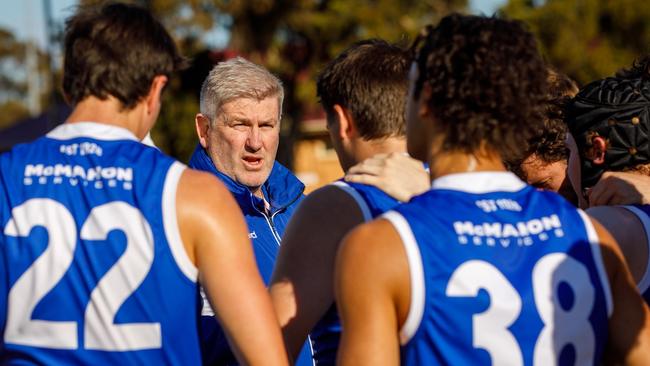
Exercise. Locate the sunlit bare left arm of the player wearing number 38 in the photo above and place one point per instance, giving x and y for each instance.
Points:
(373, 294)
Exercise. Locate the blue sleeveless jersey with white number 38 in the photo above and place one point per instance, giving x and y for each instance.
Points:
(505, 275)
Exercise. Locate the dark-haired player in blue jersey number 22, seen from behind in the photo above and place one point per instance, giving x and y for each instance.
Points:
(104, 239)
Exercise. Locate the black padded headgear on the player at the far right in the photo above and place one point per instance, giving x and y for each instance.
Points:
(618, 110)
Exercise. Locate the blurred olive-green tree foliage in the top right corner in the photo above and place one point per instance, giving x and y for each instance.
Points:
(587, 39)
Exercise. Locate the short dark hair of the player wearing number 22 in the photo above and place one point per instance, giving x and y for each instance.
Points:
(115, 50)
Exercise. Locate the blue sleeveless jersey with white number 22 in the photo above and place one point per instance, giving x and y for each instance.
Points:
(93, 268)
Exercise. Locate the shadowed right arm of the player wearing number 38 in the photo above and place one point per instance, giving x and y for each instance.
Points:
(629, 325)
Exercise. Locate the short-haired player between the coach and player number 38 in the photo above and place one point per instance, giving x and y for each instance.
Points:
(362, 91)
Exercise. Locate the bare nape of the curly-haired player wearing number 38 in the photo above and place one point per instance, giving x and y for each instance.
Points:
(445, 163)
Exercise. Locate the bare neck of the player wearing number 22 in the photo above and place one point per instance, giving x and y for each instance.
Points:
(93, 109)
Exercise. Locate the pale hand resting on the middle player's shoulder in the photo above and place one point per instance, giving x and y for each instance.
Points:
(399, 175)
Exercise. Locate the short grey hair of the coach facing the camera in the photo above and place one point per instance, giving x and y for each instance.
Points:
(238, 78)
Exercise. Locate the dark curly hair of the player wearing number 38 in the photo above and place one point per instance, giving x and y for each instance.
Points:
(487, 82)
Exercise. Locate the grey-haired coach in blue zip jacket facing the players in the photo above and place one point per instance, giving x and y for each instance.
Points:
(239, 131)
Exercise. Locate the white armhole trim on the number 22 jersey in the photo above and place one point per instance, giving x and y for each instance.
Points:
(170, 222)
